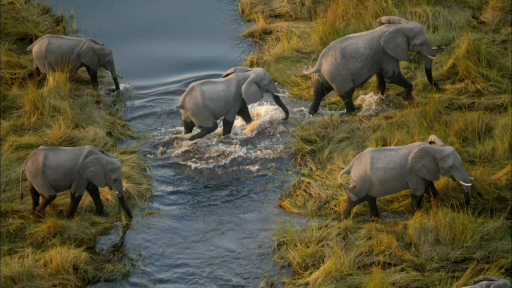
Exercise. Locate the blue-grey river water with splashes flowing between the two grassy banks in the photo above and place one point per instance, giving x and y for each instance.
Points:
(215, 198)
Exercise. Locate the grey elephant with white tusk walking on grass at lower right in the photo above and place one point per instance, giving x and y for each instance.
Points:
(380, 172)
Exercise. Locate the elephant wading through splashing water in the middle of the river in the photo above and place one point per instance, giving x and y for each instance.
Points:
(206, 101)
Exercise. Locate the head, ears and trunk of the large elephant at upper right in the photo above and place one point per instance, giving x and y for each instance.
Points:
(408, 36)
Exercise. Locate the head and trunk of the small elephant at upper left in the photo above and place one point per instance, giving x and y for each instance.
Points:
(95, 55)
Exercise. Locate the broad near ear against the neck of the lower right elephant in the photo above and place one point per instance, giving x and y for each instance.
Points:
(423, 163)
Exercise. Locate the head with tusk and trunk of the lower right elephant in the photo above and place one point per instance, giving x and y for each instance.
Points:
(430, 161)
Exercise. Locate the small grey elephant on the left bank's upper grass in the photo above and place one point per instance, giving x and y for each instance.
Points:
(52, 52)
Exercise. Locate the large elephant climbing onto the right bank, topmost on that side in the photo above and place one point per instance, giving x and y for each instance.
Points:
(349, 62)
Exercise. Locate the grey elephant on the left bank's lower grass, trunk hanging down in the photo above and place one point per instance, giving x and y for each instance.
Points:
(52, 170)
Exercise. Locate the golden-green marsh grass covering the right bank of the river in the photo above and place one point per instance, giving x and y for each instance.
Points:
(445, 244)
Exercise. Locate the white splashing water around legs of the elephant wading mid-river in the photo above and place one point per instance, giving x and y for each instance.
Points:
(217, 150)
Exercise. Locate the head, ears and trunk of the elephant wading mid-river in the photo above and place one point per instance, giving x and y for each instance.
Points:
(259, 82)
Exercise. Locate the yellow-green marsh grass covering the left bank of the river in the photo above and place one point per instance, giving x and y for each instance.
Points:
(55, 251)
